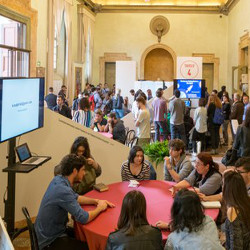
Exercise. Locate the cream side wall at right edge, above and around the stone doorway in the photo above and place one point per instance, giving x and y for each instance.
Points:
(238, 24)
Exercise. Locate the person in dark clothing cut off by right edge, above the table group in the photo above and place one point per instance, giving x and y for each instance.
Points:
(242, 138)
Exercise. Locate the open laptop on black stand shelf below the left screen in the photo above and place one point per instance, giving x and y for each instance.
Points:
(25, 157)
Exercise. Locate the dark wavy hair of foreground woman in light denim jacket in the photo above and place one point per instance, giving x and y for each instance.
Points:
(186, 212)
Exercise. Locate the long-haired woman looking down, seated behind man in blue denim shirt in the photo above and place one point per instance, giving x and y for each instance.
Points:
(92, 168)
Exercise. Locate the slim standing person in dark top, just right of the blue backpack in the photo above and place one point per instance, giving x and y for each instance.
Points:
(226, 107)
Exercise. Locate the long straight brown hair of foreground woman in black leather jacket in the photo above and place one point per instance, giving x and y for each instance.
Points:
(133, 213)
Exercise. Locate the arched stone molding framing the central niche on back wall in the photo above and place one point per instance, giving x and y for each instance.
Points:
(156, 46)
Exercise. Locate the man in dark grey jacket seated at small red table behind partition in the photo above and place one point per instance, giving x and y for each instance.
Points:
(116, 128)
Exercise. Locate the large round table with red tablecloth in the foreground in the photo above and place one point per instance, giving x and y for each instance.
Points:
(159, 202)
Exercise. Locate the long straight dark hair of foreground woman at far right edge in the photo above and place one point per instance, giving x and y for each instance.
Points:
(235, 195)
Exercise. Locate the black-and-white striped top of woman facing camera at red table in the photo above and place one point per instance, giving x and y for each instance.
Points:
(127, 175)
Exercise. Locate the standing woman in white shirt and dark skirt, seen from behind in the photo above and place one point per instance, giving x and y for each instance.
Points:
(200, 119)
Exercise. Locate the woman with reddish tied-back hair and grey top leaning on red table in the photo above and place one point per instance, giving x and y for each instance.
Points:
(205, 176)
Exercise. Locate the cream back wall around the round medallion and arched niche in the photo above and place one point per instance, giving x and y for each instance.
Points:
(189, 33)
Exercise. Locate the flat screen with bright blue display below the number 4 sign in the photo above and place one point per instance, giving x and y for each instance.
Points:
(190, 89)
